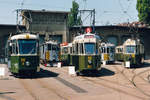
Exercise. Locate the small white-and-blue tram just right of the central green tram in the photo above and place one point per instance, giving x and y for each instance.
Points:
(107, 52)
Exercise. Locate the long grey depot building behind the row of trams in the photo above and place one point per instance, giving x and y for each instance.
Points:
(54, 25)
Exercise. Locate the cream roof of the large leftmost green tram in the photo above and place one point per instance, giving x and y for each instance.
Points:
(24, 36)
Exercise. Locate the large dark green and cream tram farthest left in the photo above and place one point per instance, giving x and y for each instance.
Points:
(23, 53)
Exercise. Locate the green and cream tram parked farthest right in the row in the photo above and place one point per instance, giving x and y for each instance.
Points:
(133, 52)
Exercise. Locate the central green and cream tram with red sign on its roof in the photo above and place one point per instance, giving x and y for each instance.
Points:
(85, 55)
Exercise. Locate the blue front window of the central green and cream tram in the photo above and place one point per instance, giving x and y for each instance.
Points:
(89, 48)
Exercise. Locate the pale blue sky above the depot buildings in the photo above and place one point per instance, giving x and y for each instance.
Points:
(108, 12)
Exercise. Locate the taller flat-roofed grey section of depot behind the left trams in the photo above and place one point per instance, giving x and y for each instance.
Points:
(46, 23)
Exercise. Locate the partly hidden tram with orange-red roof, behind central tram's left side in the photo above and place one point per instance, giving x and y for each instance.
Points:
(65, 50)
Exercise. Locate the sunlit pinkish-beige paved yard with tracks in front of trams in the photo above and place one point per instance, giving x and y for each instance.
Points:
(51, 83)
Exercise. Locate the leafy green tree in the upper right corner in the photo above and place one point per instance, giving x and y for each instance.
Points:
(143, 8)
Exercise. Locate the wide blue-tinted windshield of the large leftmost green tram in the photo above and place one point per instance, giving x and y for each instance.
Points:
(27, 46)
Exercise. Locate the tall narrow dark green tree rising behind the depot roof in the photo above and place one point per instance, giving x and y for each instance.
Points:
(73, 18)
